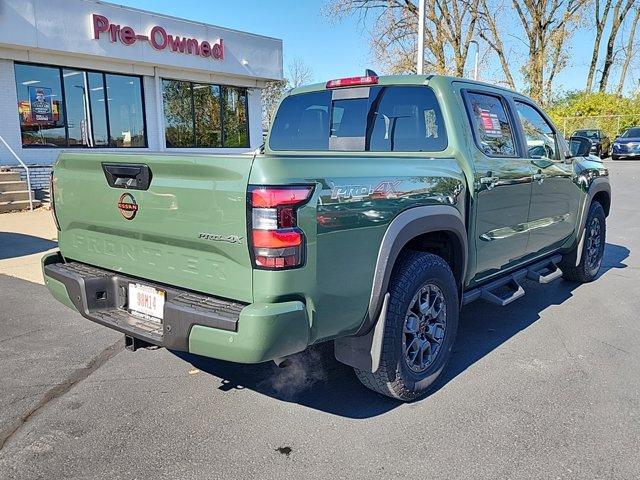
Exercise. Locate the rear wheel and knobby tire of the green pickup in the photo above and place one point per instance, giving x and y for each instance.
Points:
(420, 327)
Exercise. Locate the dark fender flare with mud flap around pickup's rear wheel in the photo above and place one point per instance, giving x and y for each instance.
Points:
(363, 349)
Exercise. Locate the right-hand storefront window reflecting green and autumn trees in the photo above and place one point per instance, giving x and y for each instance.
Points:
(204, 116)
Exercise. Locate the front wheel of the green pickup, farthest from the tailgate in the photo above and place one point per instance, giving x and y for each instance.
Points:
(595, 232)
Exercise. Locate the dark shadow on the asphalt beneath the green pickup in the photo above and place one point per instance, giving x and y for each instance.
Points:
(315, 379)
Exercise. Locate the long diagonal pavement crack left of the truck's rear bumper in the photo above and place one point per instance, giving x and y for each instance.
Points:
(60, 389)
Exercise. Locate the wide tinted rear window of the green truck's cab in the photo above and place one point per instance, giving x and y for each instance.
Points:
(374, 119)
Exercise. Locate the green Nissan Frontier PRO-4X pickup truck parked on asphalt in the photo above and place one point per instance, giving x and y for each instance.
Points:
(378, 207)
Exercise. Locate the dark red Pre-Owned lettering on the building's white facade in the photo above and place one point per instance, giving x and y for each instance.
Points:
(158, 38)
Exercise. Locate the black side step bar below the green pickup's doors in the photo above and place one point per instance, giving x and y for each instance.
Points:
(507, 289)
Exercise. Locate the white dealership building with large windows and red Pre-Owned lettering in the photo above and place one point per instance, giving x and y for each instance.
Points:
(83, 74)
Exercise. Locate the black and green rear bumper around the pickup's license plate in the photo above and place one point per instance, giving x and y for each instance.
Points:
(193, 322)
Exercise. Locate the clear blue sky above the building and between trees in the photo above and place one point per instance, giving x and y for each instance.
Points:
(331, 49)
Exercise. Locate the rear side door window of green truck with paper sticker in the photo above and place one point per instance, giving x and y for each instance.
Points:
(491, 126)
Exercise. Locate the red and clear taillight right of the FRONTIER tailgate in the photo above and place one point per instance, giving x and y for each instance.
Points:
(276, 241)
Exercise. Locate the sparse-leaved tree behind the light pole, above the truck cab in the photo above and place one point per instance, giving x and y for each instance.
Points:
(393, 24)
